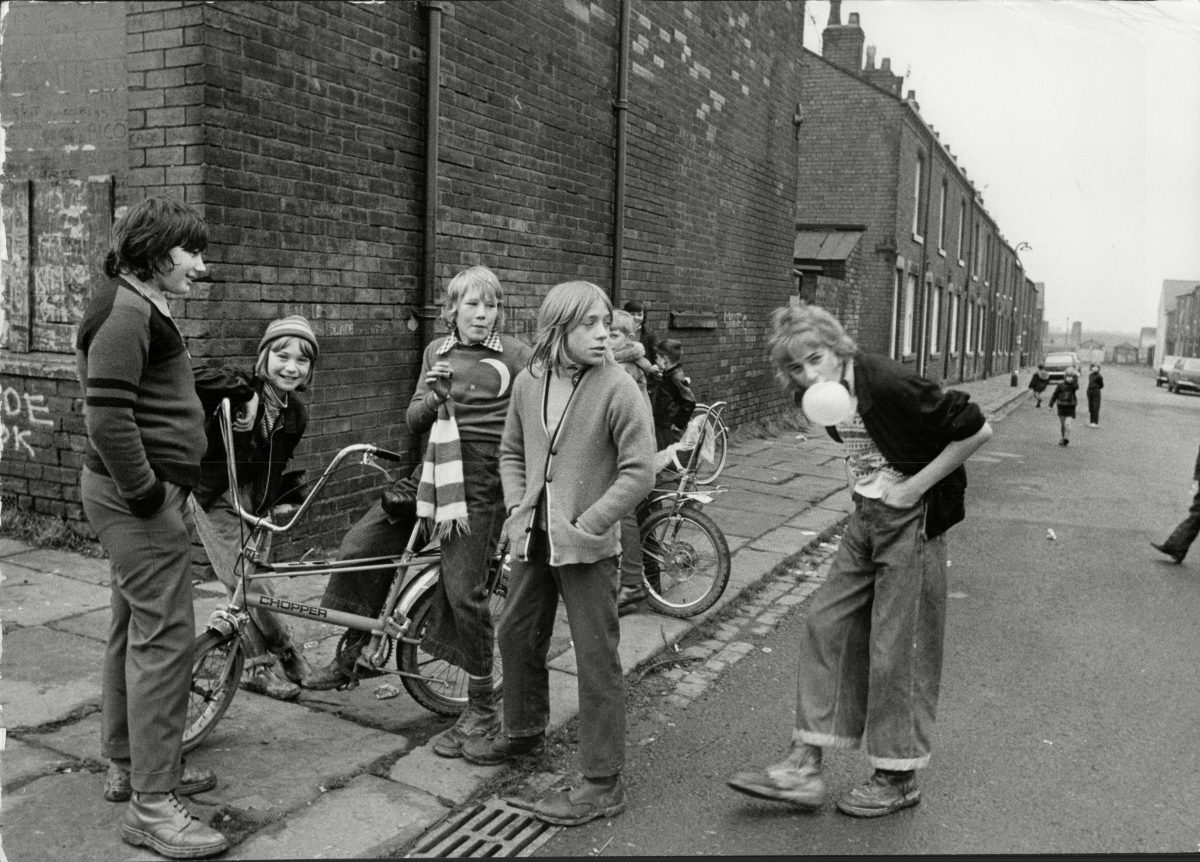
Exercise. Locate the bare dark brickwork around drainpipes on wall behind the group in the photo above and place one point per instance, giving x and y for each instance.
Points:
(299, 131)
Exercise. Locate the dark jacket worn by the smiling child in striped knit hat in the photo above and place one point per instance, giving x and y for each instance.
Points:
(260, 463)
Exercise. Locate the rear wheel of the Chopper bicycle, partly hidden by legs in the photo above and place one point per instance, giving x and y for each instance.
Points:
(441, 687)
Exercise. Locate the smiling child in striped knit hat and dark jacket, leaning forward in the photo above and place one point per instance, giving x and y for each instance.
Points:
(271, 420)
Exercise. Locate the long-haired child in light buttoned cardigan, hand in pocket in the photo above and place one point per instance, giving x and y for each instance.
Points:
(575, 458)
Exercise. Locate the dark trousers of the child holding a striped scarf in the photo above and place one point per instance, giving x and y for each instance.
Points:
(461, 630)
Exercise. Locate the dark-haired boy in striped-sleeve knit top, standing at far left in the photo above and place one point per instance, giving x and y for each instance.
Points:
(146, 439)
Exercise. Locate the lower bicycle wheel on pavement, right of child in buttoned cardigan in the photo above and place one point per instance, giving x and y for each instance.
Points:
(686, 560)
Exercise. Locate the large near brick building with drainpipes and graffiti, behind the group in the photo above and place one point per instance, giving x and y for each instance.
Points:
(352, 157)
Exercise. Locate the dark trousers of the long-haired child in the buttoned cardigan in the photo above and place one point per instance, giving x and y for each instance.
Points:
(590, 592)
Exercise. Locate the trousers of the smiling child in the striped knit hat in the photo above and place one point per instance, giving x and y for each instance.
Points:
(223, 532)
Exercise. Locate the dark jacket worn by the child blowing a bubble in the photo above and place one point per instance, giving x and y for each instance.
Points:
(911, 420)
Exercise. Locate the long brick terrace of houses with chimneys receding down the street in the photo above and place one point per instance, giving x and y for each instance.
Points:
(927, 276)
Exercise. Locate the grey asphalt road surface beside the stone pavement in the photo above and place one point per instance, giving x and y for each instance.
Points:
(1071, 705)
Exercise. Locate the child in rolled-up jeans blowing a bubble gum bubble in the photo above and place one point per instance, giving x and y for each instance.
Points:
(872, 660)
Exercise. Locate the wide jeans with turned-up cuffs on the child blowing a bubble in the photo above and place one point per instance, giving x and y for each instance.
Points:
(872, 660)
